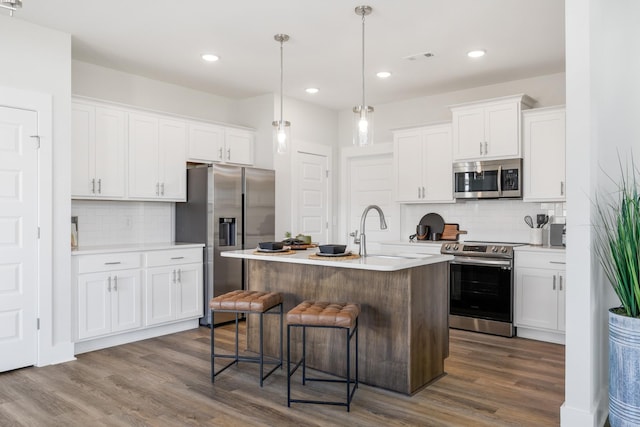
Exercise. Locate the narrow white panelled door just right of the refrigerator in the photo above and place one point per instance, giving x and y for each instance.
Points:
(312, 196)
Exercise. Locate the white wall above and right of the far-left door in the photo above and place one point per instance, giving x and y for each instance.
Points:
(39, 60)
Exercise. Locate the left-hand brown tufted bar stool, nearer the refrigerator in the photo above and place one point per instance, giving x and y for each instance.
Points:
(248, 302)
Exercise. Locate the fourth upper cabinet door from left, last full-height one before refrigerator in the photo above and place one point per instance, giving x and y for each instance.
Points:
(172, 168)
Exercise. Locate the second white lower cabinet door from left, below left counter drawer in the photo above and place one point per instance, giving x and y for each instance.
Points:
(126, 301)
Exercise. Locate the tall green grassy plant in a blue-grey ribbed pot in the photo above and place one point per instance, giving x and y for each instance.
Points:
(618, 249)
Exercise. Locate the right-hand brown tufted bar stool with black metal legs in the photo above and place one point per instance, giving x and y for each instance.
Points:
(312, 314)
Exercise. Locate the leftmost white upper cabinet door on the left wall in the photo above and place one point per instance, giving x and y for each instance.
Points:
(82, 150)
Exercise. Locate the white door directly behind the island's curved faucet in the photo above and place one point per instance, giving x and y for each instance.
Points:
(370, 182)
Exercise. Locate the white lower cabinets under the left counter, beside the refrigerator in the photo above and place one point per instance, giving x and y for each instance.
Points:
(118, 293)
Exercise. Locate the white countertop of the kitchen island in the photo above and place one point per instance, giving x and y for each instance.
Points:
(377, 262)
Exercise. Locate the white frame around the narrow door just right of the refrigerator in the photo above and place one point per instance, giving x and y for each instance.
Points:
(318, 150)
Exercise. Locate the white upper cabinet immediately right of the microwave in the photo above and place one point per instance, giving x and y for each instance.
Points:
(544, 138)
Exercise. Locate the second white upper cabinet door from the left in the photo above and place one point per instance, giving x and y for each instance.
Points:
(110, 145)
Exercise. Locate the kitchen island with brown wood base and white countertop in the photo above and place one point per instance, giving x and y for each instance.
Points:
(403, 325)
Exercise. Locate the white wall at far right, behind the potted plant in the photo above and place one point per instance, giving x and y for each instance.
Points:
(603, 106)
